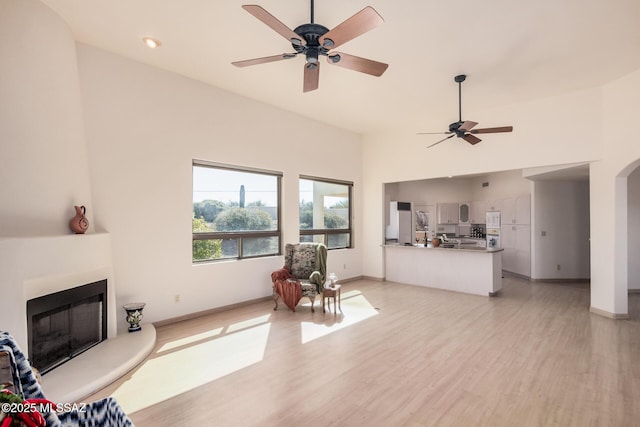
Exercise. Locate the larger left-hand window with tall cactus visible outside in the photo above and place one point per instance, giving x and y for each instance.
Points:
(236, 212)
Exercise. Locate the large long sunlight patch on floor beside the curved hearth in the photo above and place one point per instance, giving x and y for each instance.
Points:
(175, 372)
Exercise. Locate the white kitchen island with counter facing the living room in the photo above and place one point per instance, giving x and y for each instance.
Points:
(475, 271)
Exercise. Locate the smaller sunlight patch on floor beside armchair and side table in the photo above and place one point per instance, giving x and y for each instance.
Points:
(355, 308)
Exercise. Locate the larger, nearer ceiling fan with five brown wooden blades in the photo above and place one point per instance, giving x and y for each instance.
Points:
(314, 40)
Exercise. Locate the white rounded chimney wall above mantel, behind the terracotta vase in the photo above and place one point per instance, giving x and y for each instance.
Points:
(43, 159)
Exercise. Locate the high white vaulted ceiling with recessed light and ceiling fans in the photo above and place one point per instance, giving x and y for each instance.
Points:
(511, 51)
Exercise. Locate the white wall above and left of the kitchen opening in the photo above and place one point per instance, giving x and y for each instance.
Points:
(541, 137)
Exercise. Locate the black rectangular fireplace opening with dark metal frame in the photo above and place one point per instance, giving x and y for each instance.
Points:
(64, 324)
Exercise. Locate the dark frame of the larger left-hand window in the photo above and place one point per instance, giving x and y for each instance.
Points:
(240, 235)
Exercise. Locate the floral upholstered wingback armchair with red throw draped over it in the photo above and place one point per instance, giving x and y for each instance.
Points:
(303, 274)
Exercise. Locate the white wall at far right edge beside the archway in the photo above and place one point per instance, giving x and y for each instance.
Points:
(608, 195)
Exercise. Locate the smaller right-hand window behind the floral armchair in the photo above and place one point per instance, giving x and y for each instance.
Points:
(325, 212)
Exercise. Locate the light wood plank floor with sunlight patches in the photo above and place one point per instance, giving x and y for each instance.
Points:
(398, 356)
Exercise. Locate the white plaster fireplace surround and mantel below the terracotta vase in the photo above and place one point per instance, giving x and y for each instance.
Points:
(31, 267)
